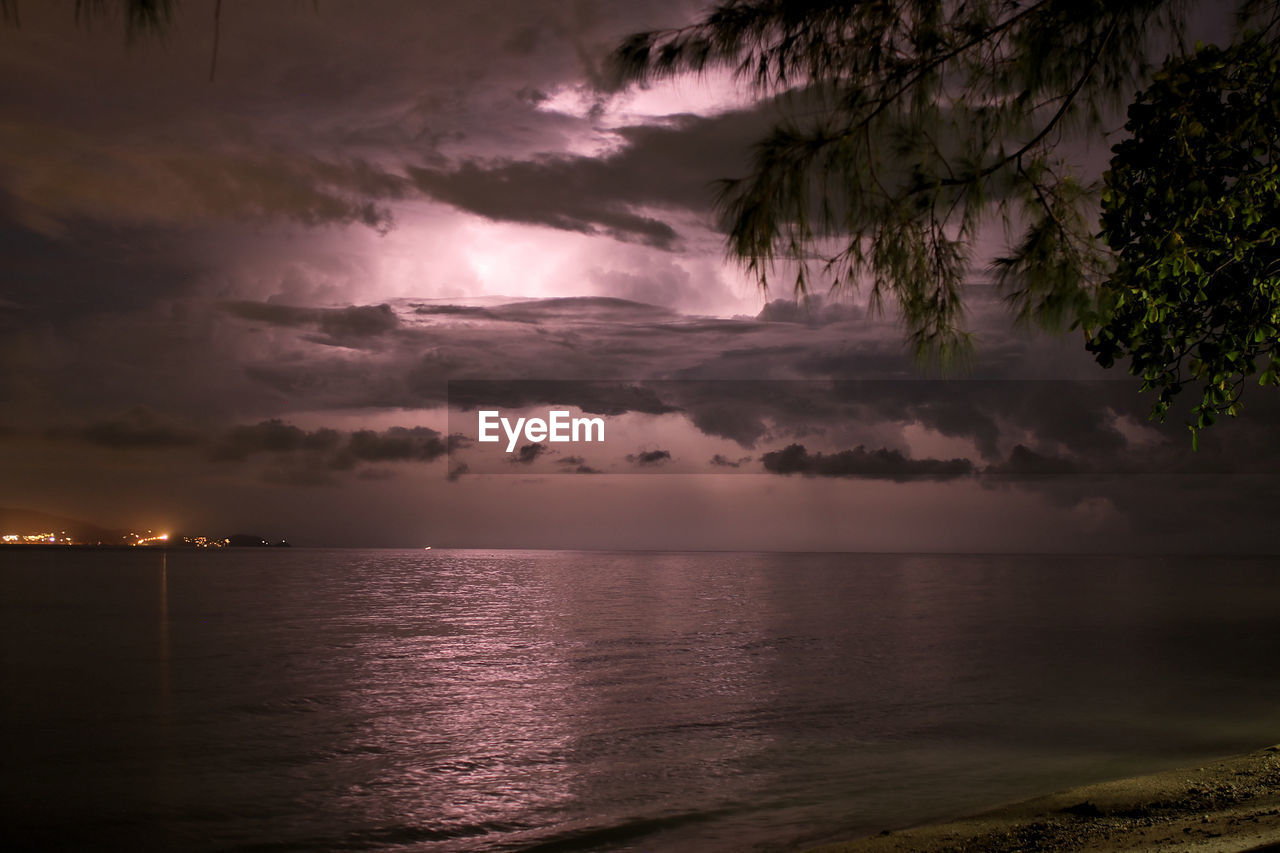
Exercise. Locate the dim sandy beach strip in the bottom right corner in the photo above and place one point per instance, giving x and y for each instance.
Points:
(1226, 806)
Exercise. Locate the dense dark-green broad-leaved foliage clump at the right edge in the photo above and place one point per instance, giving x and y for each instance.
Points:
(1191, 212)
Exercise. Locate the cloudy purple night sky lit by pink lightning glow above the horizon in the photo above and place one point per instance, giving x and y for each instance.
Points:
(245, 304)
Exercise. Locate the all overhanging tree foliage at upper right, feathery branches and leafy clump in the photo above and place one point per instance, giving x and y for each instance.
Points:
(913, 124)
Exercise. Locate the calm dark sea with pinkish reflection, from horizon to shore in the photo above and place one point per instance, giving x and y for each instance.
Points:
(573, 701)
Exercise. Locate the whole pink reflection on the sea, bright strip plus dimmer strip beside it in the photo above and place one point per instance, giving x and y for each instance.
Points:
(499, 696)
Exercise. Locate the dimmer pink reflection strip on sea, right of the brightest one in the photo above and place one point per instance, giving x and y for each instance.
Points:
(666, 672)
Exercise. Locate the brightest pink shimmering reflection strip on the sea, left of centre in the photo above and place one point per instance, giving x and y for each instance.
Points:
(461, 687)
